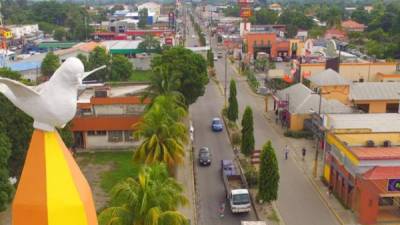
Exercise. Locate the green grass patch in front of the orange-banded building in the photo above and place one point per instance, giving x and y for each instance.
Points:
(123, 166)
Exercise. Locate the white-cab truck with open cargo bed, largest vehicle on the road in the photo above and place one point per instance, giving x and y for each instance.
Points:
(235, 187)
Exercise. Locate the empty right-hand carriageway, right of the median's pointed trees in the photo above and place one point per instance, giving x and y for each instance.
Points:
(298, 202)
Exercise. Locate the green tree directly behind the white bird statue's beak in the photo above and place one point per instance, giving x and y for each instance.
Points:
(99, 57)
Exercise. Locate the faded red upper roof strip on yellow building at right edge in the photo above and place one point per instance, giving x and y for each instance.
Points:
(376, 153)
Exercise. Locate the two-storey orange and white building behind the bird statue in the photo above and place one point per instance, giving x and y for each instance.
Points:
(106, 116)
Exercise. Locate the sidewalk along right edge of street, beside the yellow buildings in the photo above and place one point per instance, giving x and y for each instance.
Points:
(344, 216)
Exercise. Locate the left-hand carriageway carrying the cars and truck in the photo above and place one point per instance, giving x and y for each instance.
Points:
(211, 190)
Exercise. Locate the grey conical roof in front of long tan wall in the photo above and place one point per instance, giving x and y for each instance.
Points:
(328, 77)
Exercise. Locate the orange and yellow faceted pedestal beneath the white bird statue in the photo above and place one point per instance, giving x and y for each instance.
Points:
(52, 189)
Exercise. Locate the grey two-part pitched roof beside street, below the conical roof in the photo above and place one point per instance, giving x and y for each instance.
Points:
(302, 101)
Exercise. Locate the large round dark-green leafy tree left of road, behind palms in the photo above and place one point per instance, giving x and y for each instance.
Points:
(186, 68)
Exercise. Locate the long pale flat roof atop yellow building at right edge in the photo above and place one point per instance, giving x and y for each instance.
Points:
(375, 122)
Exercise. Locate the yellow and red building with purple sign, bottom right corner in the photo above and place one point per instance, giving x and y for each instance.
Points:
(361, 160)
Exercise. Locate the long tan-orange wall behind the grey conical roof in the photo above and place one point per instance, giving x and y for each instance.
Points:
(354, 71)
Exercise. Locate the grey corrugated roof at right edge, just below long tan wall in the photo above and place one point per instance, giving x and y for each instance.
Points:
(375, 91)
